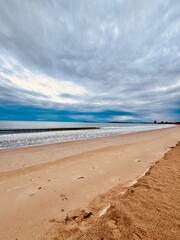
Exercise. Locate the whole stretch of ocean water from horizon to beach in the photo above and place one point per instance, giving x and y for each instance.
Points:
(14, 140)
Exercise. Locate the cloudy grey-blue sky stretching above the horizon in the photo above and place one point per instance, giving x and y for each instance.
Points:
(90, 60)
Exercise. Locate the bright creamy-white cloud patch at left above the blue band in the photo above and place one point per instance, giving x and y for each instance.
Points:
(47, 87)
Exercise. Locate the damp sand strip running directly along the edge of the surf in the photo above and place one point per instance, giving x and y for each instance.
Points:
(13, 153)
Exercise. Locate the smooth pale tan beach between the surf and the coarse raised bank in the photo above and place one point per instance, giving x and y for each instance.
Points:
(43, 185)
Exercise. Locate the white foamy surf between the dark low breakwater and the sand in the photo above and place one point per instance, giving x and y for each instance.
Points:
(40, 138)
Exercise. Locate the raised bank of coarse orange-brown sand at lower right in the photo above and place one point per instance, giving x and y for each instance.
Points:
(150, 209)
